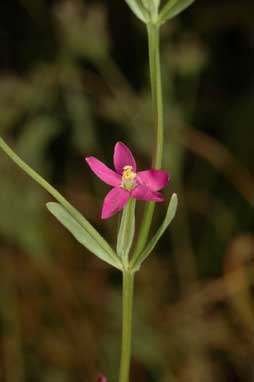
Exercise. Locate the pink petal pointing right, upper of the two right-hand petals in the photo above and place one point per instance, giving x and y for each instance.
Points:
(153, 179)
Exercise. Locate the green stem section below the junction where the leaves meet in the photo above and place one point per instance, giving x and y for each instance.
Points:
(127, 301)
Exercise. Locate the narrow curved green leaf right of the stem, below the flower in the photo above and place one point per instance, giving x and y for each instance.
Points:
(151, 245)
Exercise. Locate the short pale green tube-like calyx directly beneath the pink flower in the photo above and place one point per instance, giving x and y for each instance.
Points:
(127, 230)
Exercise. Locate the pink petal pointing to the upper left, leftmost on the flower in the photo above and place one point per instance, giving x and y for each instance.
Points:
(103, 172)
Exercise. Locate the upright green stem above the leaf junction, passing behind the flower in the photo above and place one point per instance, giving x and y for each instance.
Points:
(157, 99)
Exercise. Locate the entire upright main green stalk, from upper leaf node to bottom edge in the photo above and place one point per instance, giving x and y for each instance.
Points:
(128, 277)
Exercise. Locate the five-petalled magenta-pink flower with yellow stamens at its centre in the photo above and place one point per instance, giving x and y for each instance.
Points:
(126, 182)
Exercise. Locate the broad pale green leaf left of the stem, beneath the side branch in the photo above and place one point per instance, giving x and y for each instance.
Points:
(82, 235)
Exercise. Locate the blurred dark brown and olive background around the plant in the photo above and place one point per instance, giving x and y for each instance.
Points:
(73, 81)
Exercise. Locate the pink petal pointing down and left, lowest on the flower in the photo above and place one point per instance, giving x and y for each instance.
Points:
(114, 201)
